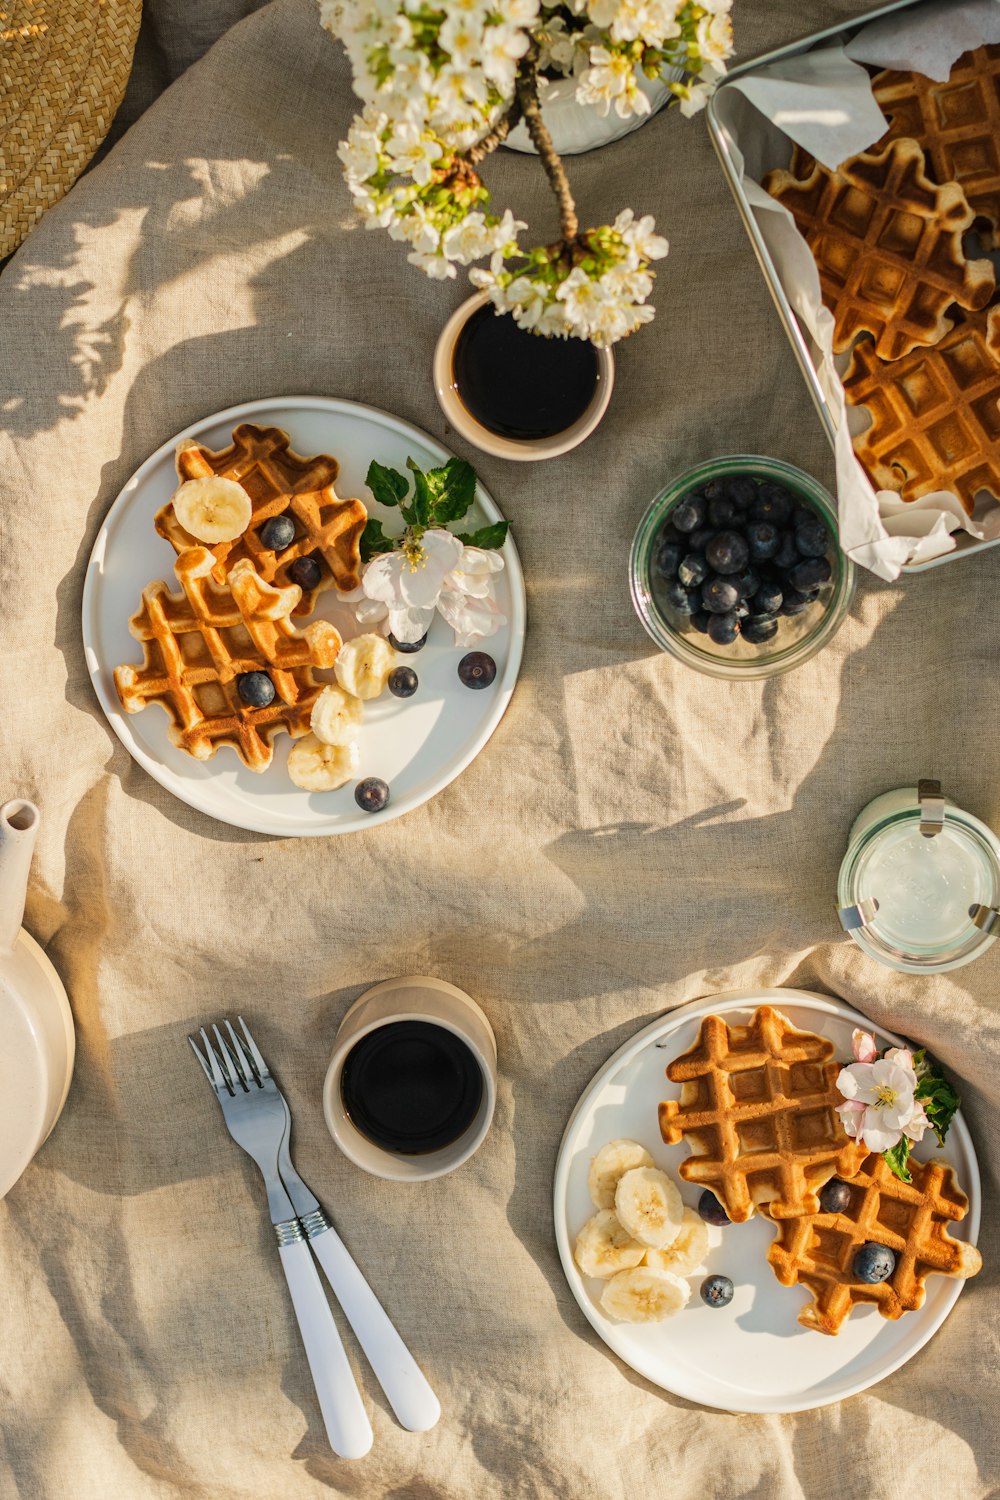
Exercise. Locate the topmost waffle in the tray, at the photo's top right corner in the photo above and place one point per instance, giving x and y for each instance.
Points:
(957, 124)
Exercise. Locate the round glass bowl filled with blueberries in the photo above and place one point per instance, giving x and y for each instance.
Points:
(735, 568)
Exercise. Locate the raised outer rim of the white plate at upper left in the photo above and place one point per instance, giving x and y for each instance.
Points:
(199, 794)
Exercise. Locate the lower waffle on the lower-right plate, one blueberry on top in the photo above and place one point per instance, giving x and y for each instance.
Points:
(912, 1219)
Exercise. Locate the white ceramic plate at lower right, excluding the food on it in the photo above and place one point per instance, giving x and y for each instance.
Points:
(752, 1355)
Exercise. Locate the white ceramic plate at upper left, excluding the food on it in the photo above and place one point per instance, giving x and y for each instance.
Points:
(416, 745)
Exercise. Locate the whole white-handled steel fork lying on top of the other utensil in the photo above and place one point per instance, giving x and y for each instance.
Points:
(257, 1120)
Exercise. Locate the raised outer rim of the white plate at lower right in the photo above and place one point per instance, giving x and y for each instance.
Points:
(660, 1028)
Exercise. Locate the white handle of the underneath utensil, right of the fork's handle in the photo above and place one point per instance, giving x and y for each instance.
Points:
(397, 1370)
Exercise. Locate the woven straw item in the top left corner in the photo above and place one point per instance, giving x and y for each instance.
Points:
(64, 68)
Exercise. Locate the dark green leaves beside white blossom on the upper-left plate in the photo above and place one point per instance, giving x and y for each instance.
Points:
(439, 499)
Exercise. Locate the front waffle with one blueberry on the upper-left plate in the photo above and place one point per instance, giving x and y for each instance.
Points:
(200, 641)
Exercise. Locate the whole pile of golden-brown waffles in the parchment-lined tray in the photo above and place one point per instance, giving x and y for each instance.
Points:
(890, 232)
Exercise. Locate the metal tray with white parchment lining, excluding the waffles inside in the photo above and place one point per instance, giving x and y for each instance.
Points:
(822, 100)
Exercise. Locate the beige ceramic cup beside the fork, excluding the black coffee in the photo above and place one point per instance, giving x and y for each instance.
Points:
(412, 1000)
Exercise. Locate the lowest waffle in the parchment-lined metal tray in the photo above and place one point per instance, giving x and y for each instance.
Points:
(935, 413)
